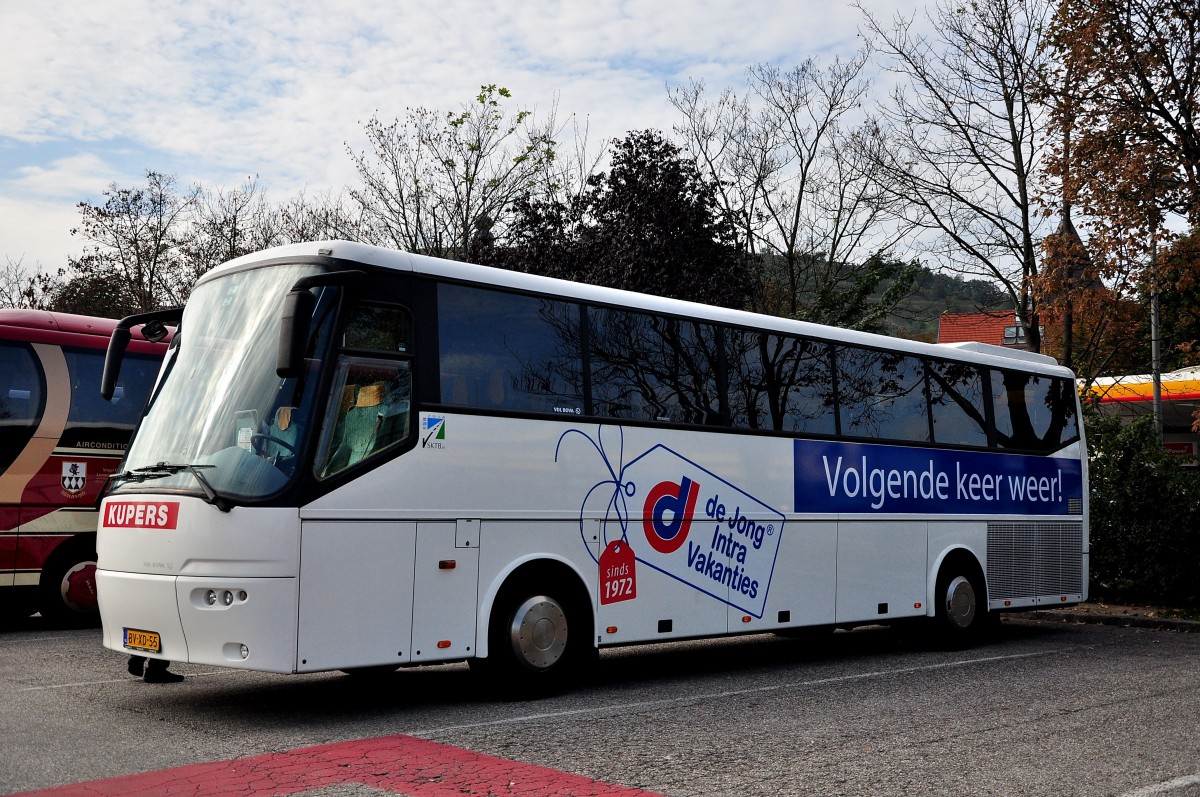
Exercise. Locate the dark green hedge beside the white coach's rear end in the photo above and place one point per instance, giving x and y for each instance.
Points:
(1145, 517)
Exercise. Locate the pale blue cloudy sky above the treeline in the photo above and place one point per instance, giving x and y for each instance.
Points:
(211, 92)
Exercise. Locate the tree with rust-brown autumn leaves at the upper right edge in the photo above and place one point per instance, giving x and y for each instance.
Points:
(1125, 99)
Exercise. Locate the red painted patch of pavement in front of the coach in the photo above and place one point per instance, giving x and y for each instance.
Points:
(403, 765)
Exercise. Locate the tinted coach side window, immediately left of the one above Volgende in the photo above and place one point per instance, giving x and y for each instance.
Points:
(779, 383)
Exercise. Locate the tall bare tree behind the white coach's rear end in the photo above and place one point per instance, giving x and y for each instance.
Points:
(968, 137)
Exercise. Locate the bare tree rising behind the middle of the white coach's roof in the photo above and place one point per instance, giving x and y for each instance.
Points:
(797, 165)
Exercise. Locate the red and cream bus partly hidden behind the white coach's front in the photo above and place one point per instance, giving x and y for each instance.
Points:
(59, 444)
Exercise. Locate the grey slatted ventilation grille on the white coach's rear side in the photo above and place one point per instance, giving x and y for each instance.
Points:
(1035, 560)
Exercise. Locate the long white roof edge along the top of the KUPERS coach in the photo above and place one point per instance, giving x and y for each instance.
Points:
(491, 277)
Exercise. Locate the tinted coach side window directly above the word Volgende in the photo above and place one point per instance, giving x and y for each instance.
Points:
(881, 395)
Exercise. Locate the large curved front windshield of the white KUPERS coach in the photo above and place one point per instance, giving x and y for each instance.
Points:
(224, 423)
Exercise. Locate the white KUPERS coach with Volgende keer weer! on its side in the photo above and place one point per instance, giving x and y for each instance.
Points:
(368, 459)
